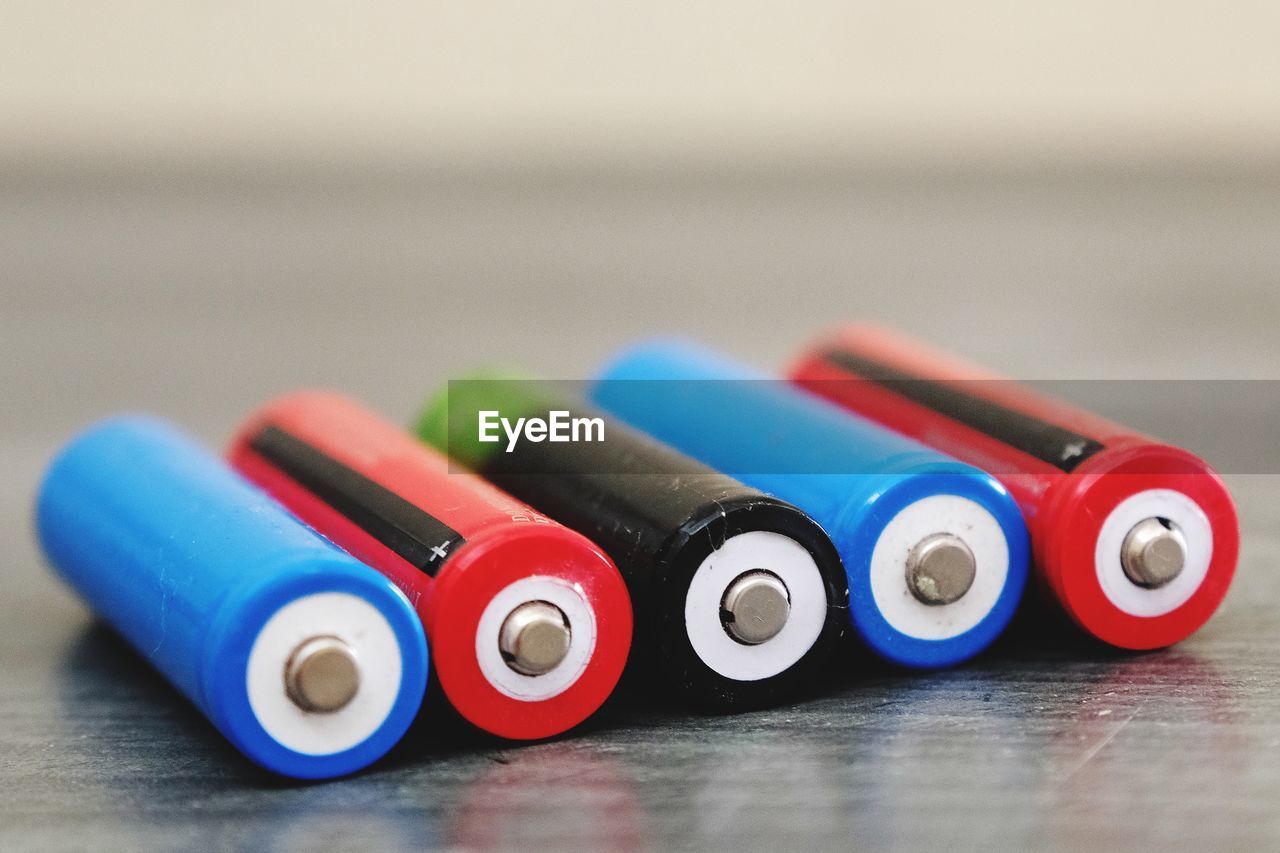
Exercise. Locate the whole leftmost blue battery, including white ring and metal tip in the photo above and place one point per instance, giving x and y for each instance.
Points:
(310, 663)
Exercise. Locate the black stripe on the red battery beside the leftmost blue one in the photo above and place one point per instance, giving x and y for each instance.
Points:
(417, 536)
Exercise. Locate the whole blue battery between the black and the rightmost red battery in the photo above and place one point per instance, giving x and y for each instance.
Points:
(936, 551)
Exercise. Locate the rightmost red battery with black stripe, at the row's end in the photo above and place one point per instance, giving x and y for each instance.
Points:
(1135, 539)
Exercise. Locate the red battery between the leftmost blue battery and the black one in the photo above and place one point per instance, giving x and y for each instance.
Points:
(529, 622)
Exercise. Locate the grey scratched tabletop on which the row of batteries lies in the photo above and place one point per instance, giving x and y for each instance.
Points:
(200, 294)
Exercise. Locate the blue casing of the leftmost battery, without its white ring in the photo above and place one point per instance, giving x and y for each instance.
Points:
(188, 562)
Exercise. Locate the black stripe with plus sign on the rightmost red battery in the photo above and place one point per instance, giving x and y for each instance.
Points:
(1027, 434)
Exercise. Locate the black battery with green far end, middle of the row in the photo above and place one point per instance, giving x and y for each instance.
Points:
(739, 597)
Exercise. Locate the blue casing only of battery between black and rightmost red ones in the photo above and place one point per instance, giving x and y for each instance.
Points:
(852, 476)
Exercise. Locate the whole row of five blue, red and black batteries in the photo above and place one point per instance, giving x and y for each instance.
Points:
(803, 522)
